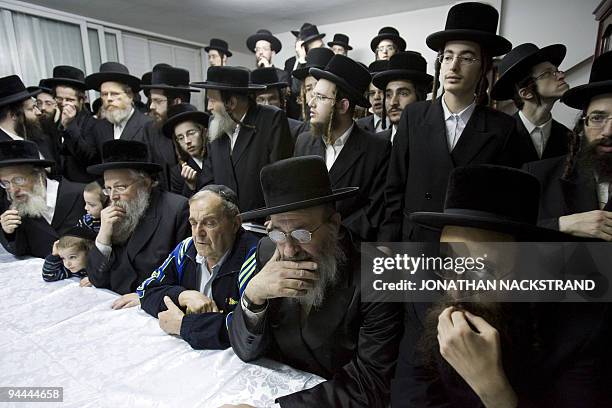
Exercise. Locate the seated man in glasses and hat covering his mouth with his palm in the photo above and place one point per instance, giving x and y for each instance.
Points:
(302, 305)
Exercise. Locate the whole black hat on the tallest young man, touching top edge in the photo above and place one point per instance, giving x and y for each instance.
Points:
(471, 21)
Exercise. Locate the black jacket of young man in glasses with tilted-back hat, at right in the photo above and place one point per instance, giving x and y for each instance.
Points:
(557, 144)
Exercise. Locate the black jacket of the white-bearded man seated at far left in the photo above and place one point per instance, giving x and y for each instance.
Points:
(35, 237)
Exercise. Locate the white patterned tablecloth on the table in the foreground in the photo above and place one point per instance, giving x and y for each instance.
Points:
(61, 335)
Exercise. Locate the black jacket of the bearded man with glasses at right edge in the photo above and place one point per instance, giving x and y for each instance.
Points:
(560, 196)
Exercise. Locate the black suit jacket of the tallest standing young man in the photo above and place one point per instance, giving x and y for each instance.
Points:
(421, 162)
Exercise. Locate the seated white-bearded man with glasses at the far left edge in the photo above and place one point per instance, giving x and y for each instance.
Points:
(41, 209)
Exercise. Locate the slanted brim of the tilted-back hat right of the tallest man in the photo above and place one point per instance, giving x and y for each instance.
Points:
(504, 86)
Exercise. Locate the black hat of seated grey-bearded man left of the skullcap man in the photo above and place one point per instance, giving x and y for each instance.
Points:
(124, 154)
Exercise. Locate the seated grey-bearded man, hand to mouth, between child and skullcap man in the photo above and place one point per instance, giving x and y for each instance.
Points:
(140, 226)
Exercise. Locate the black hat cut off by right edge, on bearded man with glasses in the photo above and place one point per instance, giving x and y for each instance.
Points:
(600, 82)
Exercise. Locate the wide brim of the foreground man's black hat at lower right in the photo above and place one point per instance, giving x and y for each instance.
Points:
(437, 221)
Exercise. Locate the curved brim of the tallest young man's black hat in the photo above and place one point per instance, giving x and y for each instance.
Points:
(494, 44)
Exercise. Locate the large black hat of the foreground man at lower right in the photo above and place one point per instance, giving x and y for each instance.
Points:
(494, 198)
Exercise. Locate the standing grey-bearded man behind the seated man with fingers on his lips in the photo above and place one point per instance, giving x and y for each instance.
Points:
(117, 89)
